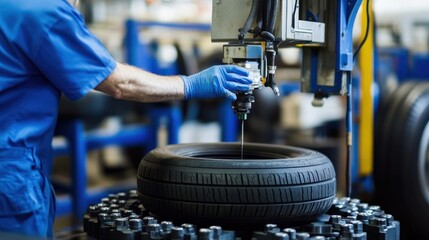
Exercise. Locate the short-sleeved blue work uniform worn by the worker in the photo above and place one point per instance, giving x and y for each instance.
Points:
(45, 50)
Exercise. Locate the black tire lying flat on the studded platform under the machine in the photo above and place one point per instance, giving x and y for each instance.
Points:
(210, 184)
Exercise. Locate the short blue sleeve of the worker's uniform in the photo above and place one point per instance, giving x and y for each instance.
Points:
(71, 57)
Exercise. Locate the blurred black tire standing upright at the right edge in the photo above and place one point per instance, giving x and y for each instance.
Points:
(401, 170)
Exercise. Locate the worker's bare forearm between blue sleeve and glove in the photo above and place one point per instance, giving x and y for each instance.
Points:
(130, 83)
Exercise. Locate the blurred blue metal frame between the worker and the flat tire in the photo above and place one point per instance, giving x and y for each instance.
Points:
(79, 142)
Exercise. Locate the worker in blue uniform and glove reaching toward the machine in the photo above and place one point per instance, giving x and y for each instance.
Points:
(46, 50)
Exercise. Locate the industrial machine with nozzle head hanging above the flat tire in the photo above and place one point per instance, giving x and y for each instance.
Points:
(255, 29)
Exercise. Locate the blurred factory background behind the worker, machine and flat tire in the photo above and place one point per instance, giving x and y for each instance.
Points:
(100, 141)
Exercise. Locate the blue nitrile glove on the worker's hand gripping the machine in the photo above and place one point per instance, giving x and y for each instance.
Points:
(217, 81)
